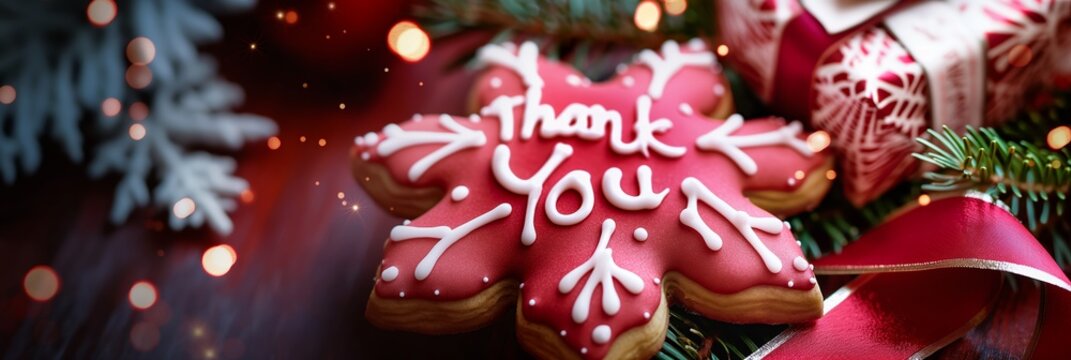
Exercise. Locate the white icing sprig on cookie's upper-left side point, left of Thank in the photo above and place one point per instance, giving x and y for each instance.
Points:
(459, 138)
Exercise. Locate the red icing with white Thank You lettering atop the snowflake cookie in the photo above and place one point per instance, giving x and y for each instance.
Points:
(477, 235)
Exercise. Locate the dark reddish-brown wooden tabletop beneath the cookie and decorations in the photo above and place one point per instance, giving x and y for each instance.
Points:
(306, 262)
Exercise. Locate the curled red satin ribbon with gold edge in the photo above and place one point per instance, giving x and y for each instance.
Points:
(926, 283)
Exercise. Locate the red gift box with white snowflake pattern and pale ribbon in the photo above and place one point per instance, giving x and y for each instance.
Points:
(873, 94)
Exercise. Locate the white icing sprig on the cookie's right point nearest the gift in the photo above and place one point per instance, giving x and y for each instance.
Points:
(719, 140)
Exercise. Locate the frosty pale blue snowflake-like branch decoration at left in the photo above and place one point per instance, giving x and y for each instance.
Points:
(65, 68)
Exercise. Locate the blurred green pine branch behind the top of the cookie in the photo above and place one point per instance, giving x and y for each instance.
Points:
(595, 35)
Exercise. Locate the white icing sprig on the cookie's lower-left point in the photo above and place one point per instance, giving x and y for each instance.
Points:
(446, 235)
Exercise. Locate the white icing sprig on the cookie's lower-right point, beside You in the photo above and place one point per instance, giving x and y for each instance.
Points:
(746, 224)
